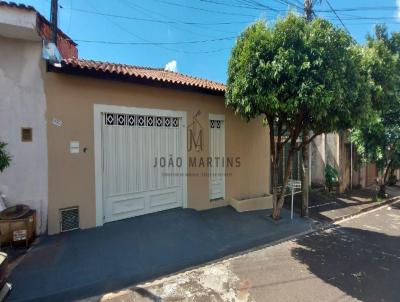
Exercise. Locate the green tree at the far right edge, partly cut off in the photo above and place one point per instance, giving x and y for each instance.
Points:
(378, 139)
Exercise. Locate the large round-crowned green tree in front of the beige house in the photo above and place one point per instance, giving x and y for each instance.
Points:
(300, 77)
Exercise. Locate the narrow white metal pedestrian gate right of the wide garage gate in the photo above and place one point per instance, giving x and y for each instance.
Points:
(217, 154)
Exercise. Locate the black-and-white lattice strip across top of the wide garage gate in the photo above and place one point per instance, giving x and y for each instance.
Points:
(117, 119)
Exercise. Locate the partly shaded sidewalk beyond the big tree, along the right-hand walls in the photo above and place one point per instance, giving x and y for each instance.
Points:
(331, 207)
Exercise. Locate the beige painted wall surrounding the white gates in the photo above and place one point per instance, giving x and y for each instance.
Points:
(72, 177)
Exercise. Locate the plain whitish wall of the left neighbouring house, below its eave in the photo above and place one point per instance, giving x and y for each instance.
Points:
(23, 104)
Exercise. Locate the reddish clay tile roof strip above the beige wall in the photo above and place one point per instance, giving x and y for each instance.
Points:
(146, 73)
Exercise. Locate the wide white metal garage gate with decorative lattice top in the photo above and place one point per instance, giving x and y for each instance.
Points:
(143, 163)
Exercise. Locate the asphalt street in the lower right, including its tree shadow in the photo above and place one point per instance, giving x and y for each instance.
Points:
(356, 260)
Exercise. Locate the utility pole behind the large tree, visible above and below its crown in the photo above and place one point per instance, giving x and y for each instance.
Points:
(305, 165)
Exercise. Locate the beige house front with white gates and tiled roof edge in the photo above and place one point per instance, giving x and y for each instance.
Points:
(128, 141)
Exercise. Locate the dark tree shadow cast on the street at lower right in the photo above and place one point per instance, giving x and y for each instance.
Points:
(365, 264)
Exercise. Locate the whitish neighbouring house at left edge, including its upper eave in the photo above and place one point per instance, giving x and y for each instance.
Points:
(23, 105)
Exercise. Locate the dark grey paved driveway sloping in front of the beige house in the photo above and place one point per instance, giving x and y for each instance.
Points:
(90, 262)
